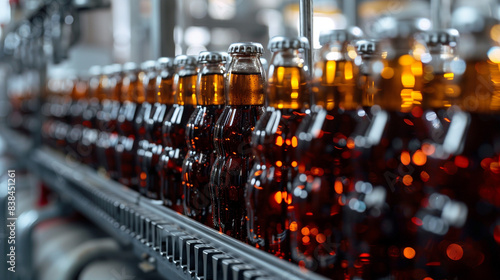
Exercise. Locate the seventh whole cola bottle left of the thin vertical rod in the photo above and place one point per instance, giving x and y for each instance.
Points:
(132, 93)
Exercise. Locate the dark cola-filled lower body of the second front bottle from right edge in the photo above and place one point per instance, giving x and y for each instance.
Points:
(381, 206)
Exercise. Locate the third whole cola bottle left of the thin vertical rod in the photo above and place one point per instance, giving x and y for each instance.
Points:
(199, 134)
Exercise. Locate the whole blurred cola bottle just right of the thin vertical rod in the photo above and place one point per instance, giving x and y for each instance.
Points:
(325, 142)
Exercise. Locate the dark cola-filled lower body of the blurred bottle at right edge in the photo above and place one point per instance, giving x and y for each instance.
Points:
(465, 200)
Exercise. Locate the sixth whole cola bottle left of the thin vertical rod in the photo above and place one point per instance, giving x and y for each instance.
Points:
(143, 167)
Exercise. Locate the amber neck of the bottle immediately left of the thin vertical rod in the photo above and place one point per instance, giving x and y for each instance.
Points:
(288, 81)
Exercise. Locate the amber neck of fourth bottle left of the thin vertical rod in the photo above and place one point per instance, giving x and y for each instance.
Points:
(185, 87)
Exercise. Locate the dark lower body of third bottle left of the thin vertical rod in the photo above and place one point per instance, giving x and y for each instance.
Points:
(198, 163)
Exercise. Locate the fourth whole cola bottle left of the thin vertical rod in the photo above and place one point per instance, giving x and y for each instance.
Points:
(174, 131)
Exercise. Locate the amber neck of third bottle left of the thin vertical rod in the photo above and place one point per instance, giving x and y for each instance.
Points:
(211, 85)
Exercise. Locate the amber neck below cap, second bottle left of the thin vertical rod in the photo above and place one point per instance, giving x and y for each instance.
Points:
(246, 81)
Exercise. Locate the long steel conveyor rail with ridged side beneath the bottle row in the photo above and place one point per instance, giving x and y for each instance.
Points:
(179, 247)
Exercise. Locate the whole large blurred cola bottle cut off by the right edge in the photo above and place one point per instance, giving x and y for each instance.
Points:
(459, 216)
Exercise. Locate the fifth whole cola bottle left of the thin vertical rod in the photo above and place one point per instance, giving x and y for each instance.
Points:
(164, 101)
